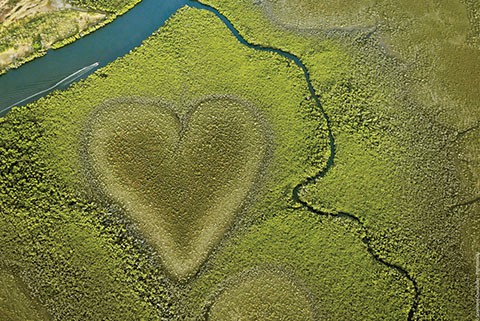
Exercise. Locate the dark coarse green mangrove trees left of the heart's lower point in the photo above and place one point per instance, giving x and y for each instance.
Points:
(76, 258)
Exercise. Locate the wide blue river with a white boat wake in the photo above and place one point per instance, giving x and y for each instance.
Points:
(59, 68)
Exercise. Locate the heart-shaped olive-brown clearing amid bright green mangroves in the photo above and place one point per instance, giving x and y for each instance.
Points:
(181, 179)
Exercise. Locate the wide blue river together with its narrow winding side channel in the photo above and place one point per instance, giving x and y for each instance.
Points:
(59, 68)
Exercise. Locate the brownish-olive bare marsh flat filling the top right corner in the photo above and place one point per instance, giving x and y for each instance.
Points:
(438, 39)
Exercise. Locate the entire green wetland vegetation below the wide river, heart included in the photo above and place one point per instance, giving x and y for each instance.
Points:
(198, 178)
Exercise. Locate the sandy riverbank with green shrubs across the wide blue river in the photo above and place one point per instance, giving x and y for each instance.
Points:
(30, 28)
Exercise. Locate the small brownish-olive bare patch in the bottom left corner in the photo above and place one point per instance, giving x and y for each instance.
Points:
(15, 303)
